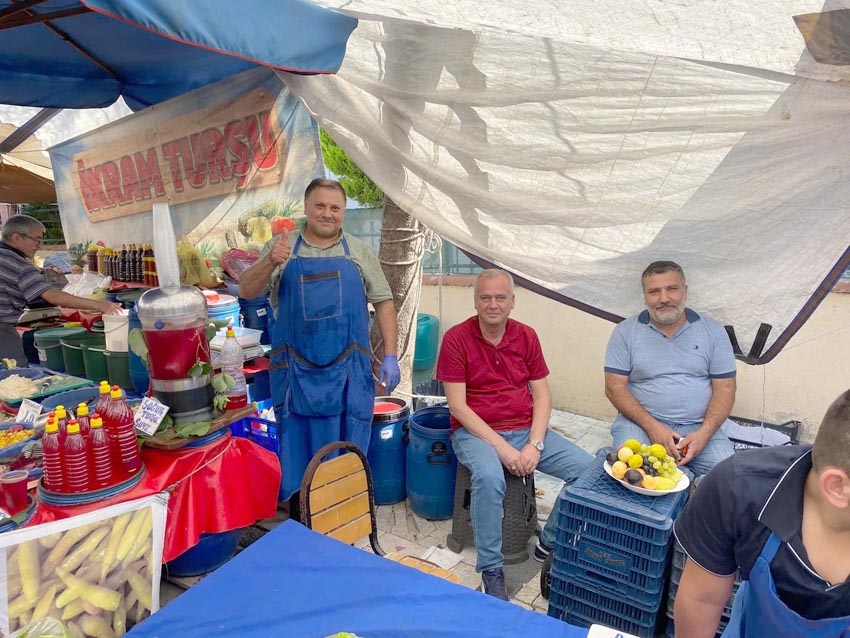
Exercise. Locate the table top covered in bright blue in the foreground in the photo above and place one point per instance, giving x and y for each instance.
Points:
(295, 582)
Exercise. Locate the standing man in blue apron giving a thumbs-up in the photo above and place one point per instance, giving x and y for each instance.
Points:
(321, 280)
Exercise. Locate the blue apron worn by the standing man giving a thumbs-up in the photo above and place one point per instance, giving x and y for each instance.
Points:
(321, 365)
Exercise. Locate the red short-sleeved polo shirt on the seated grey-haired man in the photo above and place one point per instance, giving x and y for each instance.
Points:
(496, 377)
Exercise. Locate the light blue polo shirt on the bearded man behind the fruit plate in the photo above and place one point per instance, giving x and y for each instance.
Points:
(671, 376)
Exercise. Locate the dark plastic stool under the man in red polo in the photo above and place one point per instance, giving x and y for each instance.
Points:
(519, 520)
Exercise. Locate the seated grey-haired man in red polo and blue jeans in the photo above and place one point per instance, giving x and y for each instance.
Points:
(494, 375)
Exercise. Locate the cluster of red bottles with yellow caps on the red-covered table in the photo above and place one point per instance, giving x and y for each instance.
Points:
(85, 453)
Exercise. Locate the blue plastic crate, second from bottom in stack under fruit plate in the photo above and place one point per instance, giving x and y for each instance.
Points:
(622, 575)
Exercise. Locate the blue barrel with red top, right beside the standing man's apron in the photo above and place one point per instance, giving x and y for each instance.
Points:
(387, 449)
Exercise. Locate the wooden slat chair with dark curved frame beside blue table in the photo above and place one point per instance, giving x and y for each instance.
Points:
(338, 500)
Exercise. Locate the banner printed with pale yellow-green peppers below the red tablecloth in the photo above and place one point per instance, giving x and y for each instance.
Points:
(96, 574)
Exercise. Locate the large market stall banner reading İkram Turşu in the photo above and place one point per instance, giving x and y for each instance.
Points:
(230, 159)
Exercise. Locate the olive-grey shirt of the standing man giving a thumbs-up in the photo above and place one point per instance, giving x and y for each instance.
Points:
(374, 282)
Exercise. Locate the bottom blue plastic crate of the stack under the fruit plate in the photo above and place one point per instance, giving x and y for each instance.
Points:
(598, 606)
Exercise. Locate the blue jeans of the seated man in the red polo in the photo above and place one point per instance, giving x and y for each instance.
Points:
(561, 458)
